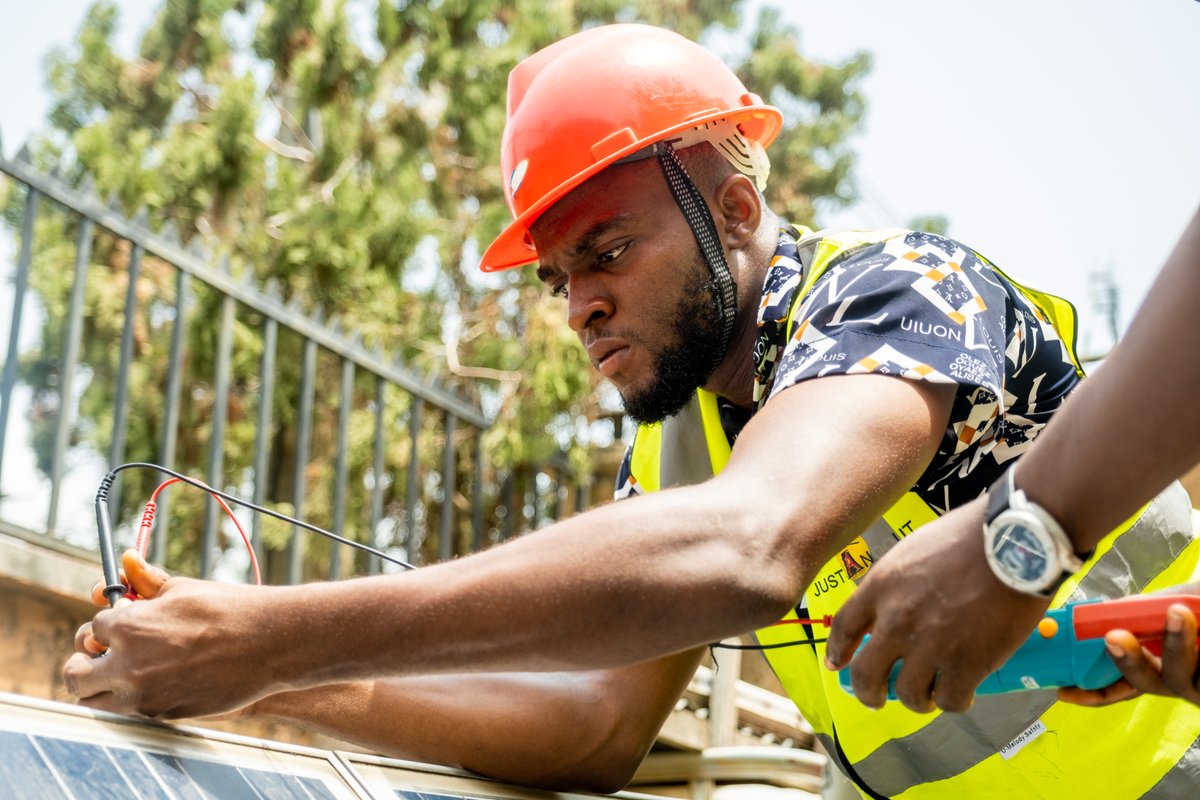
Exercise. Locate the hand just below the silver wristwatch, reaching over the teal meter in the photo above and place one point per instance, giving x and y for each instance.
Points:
(934, 603)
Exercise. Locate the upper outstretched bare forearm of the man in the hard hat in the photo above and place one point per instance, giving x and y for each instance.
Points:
(567, 599)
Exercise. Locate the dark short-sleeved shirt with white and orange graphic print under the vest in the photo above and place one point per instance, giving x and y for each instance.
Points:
(922, 308)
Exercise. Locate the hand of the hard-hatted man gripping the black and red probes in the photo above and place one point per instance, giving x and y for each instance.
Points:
(154, 649)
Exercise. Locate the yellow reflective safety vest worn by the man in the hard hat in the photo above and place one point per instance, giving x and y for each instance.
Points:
(1024, 745)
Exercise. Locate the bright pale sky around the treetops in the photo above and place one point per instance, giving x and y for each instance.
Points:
(1060, 137)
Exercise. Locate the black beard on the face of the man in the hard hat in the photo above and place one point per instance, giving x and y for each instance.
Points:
(681, 369)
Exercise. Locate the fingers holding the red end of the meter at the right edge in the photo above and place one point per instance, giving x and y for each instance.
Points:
(1175, 675)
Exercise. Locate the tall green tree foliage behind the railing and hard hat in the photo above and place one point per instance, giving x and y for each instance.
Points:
(349, 151)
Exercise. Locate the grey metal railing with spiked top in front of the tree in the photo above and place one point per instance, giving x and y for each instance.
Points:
(400, 514)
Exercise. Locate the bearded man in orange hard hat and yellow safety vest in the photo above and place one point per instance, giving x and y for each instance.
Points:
(869, 382)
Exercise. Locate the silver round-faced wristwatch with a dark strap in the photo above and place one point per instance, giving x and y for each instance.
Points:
(1025, 546)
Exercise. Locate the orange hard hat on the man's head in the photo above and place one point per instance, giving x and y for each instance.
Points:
(602, 95)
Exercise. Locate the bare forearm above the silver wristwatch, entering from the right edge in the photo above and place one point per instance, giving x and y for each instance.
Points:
(1133, 428)
